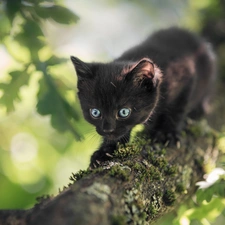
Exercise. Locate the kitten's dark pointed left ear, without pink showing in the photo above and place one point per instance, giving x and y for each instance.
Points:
(83, 69)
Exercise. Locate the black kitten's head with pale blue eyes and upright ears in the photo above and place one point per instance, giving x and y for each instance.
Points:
(117, 96)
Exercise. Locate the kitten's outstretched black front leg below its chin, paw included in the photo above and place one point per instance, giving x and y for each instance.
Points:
(106, 151)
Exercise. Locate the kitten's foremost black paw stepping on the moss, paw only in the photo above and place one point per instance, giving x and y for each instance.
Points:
(101, 155)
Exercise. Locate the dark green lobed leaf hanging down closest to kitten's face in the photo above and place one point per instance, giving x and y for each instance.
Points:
(62, 113)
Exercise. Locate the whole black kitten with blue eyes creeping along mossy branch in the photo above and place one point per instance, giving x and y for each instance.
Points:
(157, 83)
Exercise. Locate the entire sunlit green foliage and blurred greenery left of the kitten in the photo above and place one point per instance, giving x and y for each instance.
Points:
(38, 87)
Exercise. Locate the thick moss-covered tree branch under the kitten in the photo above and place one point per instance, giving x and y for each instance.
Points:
(140, 184)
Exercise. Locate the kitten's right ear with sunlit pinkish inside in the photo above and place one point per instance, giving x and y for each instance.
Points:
(144, 71)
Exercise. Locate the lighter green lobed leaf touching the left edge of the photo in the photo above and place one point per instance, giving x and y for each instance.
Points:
(11, 89)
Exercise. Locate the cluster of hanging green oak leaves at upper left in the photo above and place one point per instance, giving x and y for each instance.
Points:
(22, 34)
